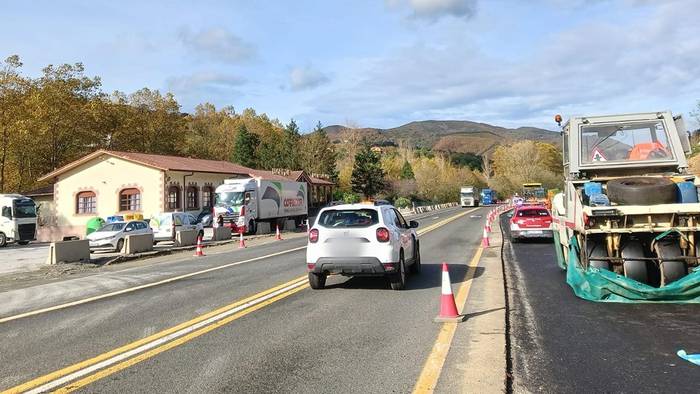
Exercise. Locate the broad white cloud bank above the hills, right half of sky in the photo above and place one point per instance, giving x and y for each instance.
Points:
(641, 64)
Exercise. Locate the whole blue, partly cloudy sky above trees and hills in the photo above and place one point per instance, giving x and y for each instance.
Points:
(378, 63)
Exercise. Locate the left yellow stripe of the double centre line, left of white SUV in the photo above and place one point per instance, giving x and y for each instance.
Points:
(131, 346)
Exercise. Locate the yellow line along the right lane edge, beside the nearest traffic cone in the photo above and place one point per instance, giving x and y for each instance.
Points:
(436, 359)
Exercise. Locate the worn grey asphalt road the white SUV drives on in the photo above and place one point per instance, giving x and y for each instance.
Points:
(355, 336)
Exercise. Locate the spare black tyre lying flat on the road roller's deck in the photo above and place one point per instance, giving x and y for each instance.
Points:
(642, 191)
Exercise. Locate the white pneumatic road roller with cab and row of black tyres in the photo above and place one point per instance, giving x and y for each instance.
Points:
(629, 206)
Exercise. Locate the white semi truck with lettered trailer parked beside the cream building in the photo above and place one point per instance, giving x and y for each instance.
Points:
(243, 203)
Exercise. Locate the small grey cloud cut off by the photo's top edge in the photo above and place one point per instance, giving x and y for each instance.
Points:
(433, 10)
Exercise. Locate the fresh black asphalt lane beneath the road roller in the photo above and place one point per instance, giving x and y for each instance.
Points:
(563, 344)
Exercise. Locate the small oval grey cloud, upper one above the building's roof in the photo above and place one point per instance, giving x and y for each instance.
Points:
(218, 44)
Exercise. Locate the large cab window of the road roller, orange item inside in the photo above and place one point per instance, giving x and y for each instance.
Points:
(625, 142)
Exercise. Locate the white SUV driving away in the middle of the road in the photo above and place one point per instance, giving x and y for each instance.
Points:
(367, 239)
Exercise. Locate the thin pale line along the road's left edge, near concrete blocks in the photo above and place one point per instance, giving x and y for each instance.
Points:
(144, 286)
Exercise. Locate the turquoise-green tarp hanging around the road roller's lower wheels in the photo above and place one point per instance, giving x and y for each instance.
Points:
(601, 285)
